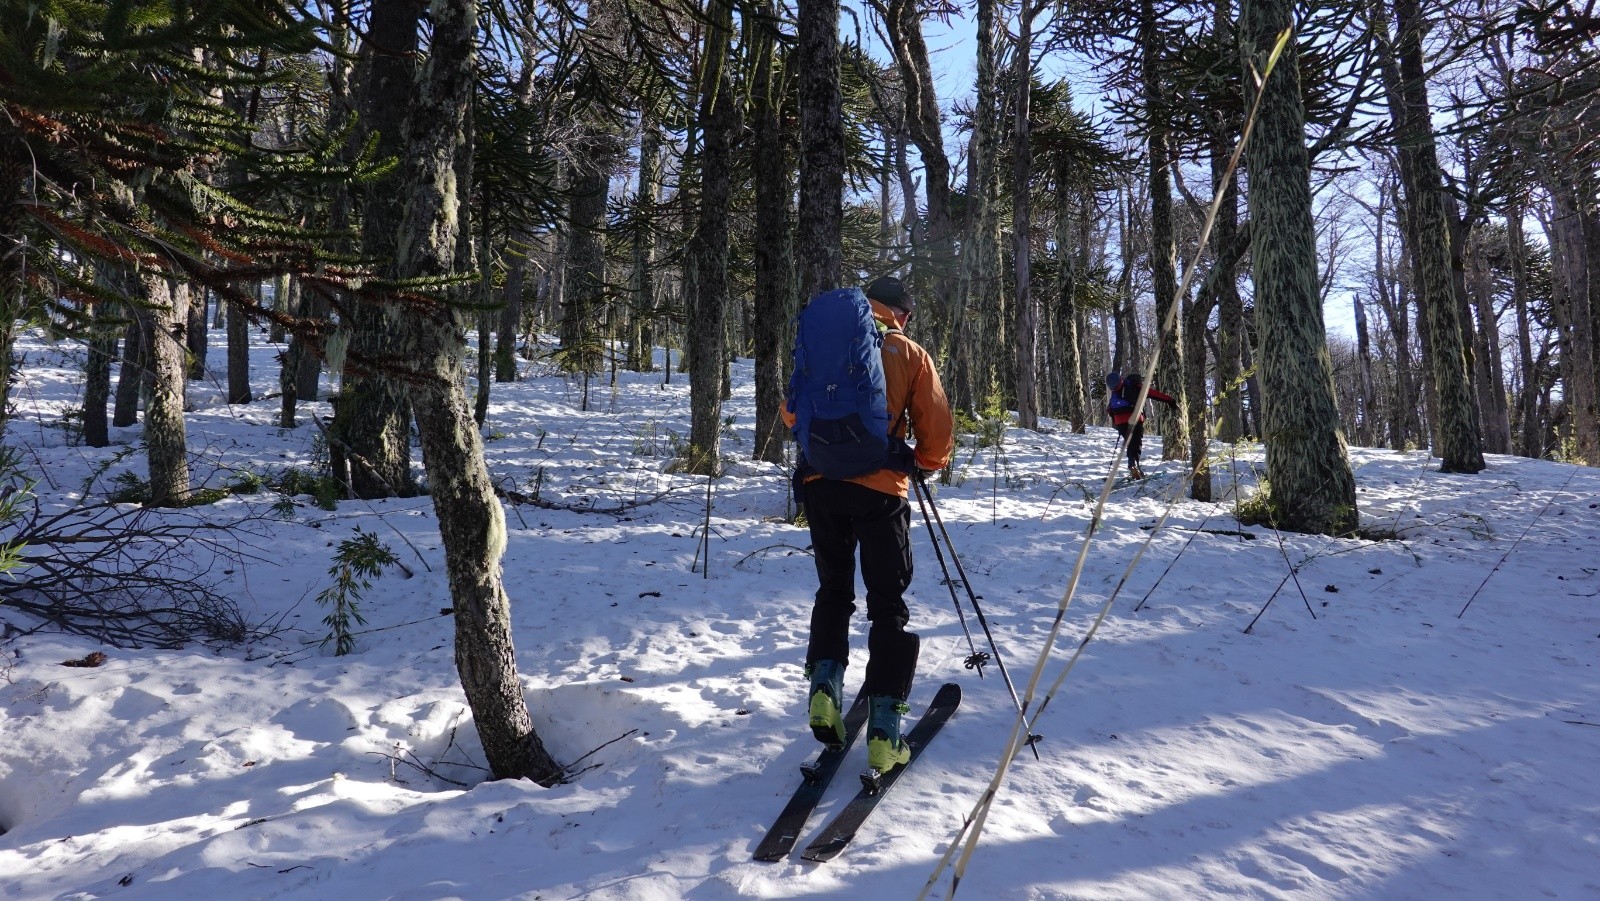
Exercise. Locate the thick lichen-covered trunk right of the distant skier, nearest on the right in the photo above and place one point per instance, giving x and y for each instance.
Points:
(1308, 467)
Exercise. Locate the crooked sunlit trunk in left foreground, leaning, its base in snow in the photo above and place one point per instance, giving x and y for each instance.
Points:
(471, 521)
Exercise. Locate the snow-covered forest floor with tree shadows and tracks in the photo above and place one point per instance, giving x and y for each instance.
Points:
(1366, 740)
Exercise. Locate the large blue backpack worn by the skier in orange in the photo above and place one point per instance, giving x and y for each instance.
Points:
(838, 391)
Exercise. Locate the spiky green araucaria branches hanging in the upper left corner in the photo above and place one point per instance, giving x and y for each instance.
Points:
(118, 153)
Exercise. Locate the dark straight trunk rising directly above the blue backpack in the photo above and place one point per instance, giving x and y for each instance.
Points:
(818, 234)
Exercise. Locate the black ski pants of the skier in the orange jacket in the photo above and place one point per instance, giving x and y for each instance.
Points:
(842, 518)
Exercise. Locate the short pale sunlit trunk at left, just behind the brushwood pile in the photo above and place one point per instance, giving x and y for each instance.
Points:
(164, 420)
